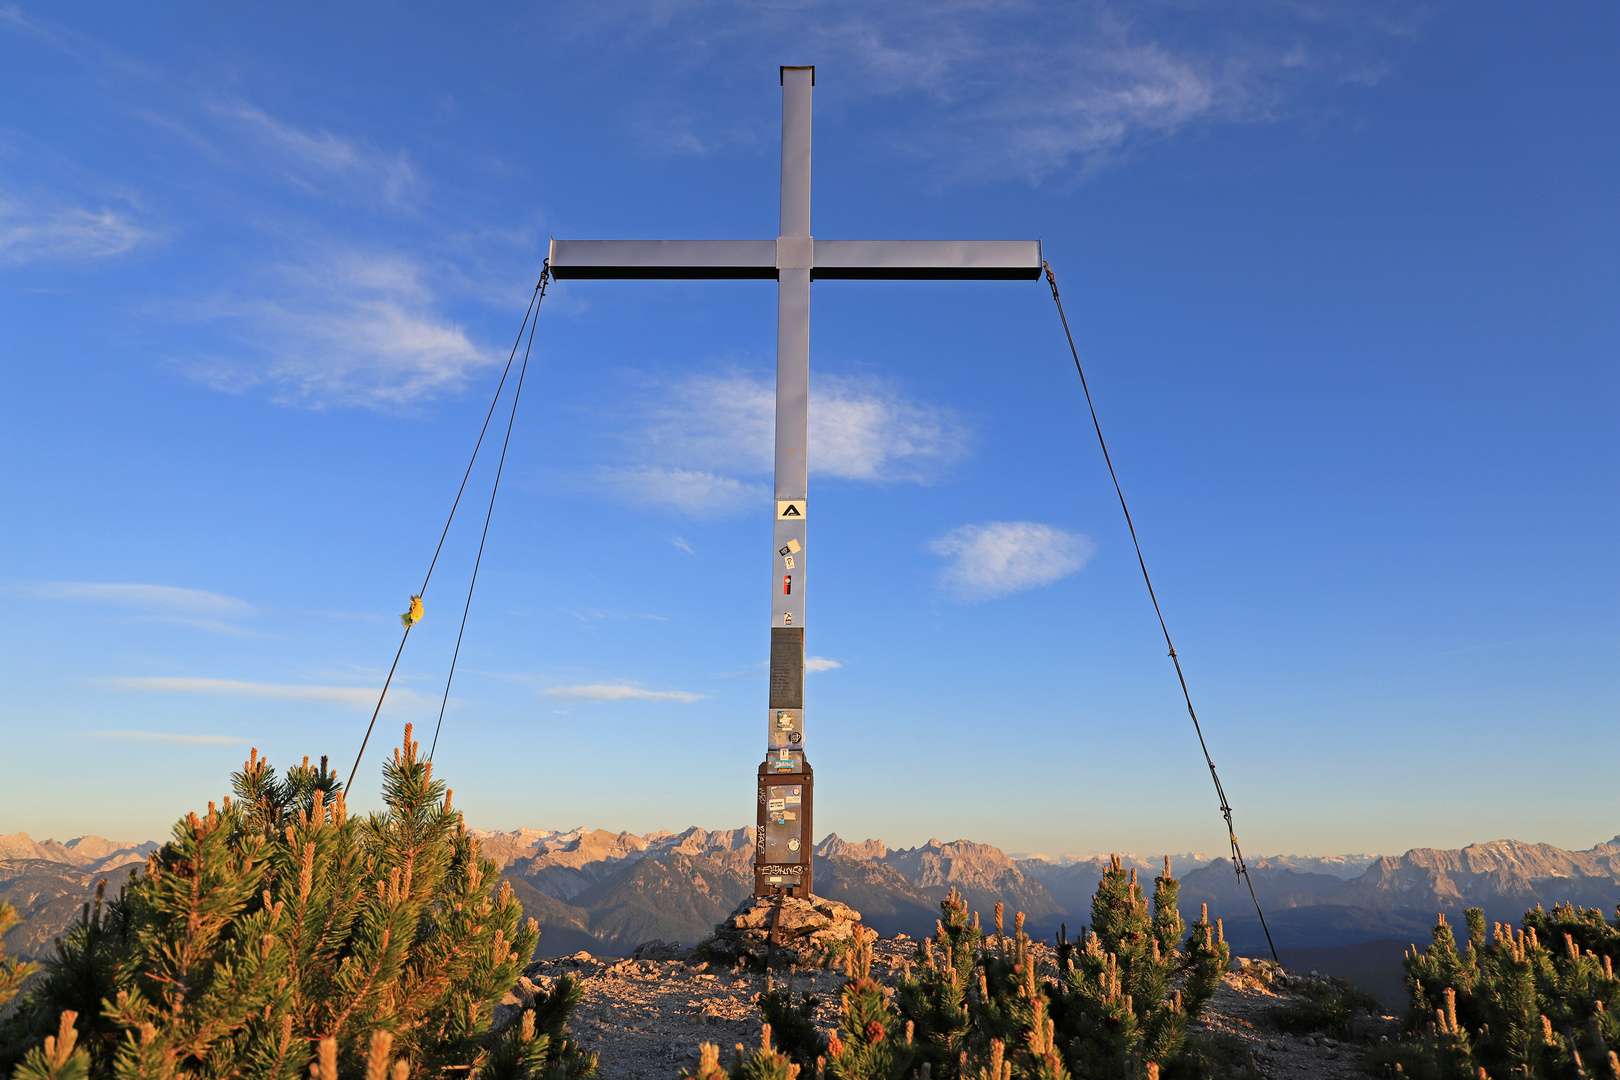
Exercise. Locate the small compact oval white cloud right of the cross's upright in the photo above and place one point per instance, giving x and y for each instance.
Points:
(1000, 558)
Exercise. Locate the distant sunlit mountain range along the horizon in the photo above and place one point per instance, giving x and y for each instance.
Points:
(610, 891)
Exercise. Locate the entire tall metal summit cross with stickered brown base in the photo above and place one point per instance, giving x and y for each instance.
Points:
(795, 260)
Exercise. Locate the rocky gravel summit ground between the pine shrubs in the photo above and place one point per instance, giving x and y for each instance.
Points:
(649, 1018)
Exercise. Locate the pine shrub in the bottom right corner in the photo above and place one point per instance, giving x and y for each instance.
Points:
(1537, 1001)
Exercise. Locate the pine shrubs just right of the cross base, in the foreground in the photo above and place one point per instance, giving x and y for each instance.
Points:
(976, 1006)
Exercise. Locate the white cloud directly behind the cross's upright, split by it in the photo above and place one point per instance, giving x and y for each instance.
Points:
(706, 432)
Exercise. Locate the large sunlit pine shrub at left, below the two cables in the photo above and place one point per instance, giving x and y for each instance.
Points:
(278, 925)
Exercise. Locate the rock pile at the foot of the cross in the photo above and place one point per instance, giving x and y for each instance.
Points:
(788, 932)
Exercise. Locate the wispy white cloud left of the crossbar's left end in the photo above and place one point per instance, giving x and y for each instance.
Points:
(344, 328)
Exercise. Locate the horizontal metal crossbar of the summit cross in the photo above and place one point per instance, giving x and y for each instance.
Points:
(926, 260)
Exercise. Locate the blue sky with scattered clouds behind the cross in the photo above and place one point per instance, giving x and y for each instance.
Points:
(1344, 278)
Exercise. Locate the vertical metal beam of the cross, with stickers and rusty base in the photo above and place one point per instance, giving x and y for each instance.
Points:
(783, 841)
